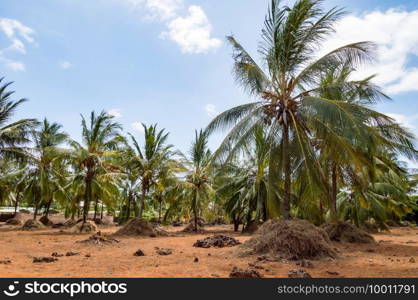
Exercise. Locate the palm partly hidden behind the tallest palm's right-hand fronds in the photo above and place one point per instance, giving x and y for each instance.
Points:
(356, 155)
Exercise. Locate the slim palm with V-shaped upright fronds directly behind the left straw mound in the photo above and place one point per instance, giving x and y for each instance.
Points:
(150, 161)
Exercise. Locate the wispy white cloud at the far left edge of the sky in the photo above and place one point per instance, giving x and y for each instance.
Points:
(18, 35)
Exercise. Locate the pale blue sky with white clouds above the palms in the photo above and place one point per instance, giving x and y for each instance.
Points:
(167, 61)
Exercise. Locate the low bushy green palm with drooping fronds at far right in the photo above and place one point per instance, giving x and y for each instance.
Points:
(381, 198)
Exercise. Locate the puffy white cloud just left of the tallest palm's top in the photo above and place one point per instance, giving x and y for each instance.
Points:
(193, 32)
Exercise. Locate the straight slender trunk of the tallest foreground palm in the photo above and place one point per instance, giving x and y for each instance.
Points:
(287, 179)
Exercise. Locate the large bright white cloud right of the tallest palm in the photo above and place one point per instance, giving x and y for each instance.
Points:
(395, 33)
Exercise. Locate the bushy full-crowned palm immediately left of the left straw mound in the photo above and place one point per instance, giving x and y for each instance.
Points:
(95, 175)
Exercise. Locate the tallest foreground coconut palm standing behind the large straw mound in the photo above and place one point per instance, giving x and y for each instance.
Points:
(286, 85)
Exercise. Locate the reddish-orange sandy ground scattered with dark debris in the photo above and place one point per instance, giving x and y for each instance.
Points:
(389, 257)
